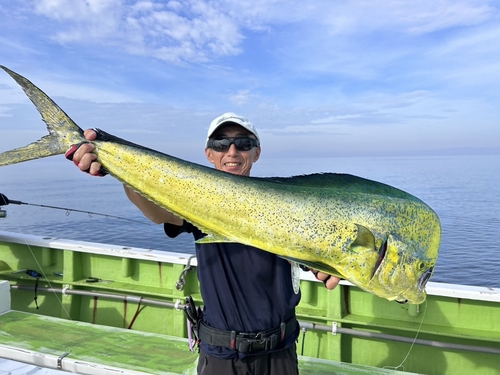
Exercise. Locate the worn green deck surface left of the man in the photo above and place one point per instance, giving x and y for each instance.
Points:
(139, 351)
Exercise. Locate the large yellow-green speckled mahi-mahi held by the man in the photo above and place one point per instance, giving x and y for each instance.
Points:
(380, 238)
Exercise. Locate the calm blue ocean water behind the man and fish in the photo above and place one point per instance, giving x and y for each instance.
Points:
(463, 190)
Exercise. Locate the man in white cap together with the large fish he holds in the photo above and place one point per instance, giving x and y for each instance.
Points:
(380, 238)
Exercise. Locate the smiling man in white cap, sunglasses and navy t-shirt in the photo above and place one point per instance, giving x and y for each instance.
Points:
(244, 289)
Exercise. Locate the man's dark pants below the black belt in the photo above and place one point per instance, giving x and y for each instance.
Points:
(283, 362)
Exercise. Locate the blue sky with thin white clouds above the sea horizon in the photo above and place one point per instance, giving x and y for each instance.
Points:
(318, 78)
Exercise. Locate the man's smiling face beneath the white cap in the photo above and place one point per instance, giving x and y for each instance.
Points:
(232, 160)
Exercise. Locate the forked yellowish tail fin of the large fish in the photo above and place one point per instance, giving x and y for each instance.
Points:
(63, 132)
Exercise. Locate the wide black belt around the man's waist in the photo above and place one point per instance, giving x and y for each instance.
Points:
(247, 342)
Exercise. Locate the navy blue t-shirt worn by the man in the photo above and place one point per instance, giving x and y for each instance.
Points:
(243, 288)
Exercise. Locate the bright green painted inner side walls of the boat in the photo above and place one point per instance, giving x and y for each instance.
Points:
(441, 319)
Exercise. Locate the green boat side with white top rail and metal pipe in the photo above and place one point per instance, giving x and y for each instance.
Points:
(456, 331)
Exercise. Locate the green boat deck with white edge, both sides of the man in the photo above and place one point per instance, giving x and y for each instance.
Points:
(86, 348)
